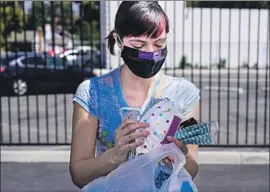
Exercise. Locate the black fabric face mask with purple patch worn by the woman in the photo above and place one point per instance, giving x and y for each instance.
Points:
(142, 63)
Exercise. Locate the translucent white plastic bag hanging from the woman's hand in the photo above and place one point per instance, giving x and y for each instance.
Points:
(135, 175)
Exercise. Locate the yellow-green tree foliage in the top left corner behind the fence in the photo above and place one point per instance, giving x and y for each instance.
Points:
(11, 18)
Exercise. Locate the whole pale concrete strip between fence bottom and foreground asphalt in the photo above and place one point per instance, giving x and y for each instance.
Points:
(60, 154)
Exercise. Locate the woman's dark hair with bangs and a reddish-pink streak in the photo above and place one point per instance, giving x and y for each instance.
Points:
(136, 18)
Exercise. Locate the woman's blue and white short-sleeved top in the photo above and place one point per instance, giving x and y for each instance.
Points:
(102, 97)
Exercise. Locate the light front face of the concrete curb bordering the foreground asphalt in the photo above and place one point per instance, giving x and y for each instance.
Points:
(204, 157)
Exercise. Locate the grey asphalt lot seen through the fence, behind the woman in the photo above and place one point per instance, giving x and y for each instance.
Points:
(241, 106)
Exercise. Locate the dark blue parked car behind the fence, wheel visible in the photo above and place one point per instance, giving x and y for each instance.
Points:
(41, 73)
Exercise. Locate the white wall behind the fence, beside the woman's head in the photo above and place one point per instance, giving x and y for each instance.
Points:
(183, 42)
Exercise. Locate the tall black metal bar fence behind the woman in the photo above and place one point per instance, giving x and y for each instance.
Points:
(225, 52)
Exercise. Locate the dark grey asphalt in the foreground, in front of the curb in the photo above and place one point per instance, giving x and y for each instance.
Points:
(54, 177)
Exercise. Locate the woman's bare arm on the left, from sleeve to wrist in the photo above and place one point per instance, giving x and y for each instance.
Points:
(84, 167)
